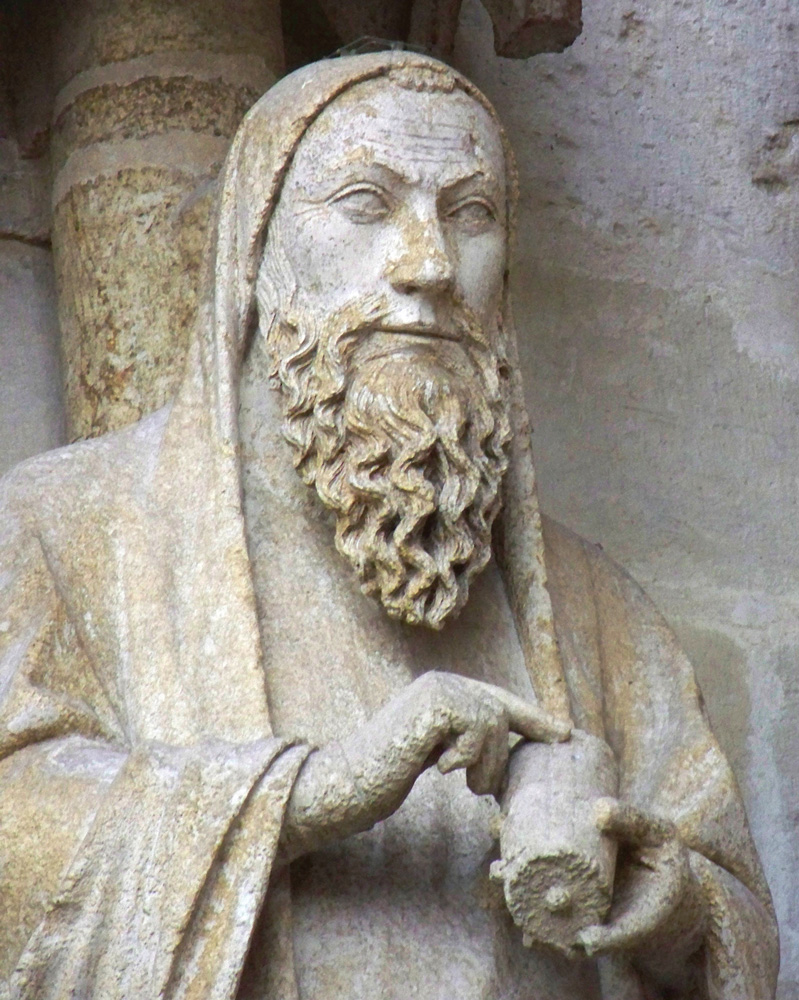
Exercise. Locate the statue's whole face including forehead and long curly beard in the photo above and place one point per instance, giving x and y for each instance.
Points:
(380, 294)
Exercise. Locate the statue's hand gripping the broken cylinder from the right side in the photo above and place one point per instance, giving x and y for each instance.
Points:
(656, 897)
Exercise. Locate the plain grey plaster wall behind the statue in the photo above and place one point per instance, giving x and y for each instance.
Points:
(656, 298)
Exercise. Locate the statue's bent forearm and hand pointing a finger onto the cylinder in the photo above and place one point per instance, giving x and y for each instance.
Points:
(439, 718)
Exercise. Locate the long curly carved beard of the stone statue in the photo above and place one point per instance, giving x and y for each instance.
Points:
(404, 438)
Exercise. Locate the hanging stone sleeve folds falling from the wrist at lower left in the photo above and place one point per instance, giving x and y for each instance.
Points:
(161, 898)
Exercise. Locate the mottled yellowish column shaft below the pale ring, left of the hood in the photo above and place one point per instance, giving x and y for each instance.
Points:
(127, 315)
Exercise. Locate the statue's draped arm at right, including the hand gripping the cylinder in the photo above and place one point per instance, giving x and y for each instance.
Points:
(694, 902)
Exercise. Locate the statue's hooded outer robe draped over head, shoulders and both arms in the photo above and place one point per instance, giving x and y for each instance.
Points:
(142, 787)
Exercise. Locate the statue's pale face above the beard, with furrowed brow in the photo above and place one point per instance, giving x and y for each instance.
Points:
(399, 194)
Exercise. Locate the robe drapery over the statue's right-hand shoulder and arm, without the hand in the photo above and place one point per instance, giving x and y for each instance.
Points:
(634, 686)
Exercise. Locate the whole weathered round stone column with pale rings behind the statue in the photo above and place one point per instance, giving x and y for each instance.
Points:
(149, 95)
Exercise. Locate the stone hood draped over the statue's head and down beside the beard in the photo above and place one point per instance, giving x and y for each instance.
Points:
(250, 188)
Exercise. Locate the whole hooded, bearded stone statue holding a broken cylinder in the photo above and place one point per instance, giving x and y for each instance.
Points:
(265, 654)
